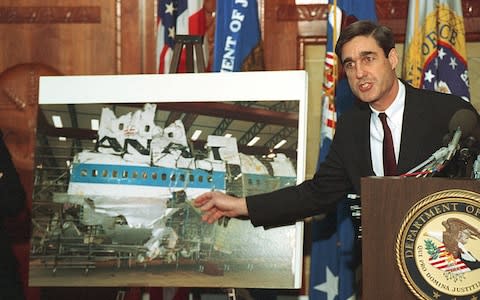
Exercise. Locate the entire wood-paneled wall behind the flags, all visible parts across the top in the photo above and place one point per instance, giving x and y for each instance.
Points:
(118, 36)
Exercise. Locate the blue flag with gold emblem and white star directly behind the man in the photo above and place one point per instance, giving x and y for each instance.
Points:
(335, 257)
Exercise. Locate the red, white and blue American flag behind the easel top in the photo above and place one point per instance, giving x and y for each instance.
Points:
(185, 17)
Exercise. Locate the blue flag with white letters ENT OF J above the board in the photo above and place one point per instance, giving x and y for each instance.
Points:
(237, 34)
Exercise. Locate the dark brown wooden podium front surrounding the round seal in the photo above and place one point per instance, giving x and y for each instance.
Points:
(385, 202)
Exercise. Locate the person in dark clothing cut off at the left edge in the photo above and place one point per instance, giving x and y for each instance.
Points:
(12, 201)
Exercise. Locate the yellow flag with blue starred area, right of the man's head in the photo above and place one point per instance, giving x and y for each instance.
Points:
(435, 47)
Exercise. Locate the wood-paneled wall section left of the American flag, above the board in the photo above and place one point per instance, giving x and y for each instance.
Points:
(79, 37)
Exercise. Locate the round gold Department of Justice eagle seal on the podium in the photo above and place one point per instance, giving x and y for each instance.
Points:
(438, 246)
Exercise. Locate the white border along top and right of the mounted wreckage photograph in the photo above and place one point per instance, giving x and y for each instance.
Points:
(191, 87)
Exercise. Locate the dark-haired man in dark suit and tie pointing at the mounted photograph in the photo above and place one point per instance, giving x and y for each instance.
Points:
(418, 119)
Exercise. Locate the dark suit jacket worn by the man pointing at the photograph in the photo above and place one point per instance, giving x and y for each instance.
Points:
(426, 121)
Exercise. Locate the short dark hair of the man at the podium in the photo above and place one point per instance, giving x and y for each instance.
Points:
(382, 34)
